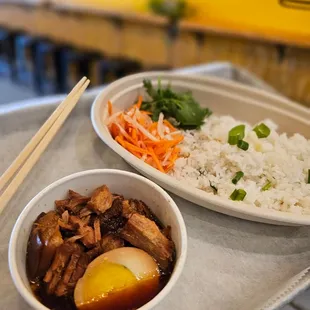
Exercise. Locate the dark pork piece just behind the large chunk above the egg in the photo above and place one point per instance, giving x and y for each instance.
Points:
(137, 206)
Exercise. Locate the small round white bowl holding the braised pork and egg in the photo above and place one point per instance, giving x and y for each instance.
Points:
(128, 184)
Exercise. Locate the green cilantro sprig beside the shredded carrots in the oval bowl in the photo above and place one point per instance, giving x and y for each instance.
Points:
(180, 106)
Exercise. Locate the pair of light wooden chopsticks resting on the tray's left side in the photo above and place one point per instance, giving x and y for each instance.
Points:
(37, 145)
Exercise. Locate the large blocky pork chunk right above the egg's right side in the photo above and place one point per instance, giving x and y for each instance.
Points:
(145, 234)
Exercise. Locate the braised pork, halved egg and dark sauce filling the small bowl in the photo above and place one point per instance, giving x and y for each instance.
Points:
(101, 252)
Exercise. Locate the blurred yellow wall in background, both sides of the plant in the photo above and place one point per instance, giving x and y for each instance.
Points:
(260, 17)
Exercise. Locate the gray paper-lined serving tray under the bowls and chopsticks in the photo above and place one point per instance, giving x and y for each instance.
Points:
(232, 264)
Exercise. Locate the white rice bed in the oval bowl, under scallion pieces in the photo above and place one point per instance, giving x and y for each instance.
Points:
(206, 158)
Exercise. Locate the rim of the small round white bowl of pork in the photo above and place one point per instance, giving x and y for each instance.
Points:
(32, 300)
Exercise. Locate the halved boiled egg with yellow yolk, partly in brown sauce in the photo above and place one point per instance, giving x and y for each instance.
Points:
(122, 279)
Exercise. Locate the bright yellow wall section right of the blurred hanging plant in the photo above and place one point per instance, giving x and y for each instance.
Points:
(260, 16)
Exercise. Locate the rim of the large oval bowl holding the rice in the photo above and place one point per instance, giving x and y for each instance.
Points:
(257, 214)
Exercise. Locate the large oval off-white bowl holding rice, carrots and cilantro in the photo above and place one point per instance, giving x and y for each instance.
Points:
(223, 98)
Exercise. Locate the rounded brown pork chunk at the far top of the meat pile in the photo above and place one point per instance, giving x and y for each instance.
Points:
(101, 200)
